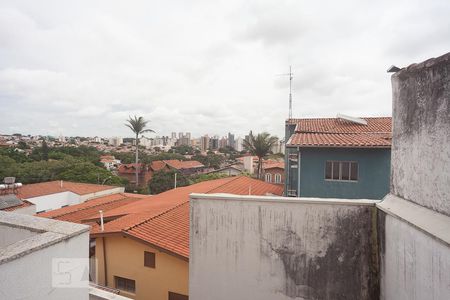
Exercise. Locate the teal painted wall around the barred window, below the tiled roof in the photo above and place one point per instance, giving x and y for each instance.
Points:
(374, 173)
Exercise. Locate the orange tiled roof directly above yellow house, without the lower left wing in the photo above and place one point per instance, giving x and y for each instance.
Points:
(168, 226)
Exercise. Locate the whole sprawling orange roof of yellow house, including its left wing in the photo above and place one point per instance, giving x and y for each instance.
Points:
(161, 220)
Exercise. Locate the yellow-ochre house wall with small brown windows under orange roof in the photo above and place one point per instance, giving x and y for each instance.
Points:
(125, 258)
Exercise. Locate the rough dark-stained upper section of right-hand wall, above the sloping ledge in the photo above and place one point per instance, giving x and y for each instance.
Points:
(421, 134)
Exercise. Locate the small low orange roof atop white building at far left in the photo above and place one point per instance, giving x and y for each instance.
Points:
(52, 187)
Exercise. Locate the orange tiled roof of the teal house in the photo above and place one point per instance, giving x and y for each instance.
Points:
(335, 132)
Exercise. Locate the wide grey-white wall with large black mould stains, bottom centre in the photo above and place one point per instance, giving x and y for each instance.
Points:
(245, 247)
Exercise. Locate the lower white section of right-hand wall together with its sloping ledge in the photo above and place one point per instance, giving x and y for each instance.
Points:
(414, 251)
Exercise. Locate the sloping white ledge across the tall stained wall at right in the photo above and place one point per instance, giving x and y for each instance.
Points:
(424, 219)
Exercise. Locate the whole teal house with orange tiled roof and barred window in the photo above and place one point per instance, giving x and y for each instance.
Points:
(341, 157)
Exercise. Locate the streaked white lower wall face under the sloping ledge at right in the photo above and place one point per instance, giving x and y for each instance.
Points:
(415, 266)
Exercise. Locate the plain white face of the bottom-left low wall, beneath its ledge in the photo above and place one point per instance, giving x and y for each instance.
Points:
(30, 277)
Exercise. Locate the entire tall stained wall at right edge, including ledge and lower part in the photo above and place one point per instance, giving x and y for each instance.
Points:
(415, 222)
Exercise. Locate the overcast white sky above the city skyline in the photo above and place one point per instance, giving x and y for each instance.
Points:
(208, 67)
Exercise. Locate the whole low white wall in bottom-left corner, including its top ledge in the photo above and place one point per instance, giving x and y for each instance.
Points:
(26, 265)
